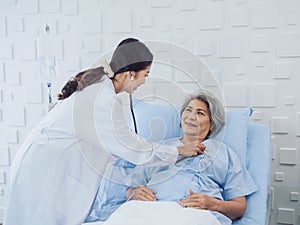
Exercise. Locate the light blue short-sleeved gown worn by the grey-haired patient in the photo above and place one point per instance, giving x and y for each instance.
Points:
(217, 173)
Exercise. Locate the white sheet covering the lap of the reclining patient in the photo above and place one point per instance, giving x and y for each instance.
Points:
(159, 213)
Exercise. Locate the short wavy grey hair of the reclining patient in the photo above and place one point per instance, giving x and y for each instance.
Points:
(215, 109)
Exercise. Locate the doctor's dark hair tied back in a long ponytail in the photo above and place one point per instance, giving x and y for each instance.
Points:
(130, 55)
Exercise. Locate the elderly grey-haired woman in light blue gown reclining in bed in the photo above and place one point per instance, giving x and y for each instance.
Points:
(215, 181)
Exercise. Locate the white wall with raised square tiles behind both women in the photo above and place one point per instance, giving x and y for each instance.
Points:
(253, 47)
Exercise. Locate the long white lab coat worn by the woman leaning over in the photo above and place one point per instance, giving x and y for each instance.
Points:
(56, 173)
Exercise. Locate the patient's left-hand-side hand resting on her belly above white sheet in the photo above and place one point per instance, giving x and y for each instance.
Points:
(141, 193)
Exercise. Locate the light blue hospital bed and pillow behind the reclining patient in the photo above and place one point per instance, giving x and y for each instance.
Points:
(250, 141)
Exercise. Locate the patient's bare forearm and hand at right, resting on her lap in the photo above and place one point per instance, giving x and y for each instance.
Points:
(233, 208)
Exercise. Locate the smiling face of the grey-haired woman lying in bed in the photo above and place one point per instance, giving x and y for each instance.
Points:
(195, 119)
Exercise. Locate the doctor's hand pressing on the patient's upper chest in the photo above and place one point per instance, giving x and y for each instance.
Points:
(191, 149)
